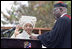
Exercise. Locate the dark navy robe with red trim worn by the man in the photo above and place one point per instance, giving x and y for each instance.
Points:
(59, 36)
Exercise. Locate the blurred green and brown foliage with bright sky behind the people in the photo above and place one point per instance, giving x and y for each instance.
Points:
(11, 11)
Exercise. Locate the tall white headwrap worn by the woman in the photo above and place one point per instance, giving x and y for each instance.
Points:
(28, 19)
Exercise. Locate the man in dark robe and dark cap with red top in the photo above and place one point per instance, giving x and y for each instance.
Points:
(60, 35)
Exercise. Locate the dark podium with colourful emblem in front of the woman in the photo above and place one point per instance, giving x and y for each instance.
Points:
(19, 43)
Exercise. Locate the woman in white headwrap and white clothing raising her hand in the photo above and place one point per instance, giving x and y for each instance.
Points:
(27, 23)
